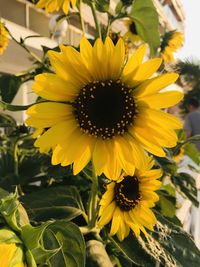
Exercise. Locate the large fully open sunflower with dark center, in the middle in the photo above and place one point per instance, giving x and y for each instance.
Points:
(104, 110)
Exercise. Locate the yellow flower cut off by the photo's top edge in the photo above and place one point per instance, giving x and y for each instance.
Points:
(55, 5)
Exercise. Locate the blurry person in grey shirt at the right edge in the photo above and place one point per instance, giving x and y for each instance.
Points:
(192, 120)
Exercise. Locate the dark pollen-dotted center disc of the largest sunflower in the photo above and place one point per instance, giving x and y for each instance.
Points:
(105, 109)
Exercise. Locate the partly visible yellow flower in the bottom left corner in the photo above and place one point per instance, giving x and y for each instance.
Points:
(11, 255)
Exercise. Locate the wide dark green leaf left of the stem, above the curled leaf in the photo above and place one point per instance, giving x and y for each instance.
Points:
(60, 202)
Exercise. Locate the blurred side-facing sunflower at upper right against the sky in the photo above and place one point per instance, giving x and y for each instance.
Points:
(172, 41)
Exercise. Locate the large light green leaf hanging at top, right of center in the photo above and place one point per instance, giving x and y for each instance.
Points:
(145, 17)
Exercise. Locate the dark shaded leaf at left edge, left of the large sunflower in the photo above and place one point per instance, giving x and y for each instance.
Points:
(9, 85)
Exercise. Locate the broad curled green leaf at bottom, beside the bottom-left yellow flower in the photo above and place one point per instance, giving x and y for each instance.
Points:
(68, 238)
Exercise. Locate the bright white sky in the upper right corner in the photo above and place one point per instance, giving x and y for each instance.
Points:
(191, 48)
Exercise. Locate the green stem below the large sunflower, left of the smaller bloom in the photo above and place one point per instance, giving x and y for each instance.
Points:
(92, 212)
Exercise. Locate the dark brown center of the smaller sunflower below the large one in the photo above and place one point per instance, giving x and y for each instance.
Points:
(127, 193)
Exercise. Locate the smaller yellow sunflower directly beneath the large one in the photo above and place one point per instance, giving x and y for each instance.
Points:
(127, 203)
